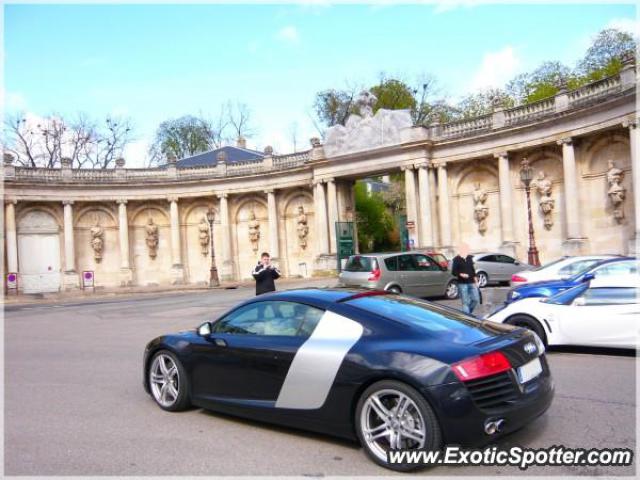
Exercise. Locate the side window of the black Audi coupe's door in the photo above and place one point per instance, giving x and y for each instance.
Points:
(271, 318)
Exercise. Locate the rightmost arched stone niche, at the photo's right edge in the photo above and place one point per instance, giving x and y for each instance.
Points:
(606, 233)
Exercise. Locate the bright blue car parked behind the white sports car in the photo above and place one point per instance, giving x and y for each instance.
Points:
(609, 266)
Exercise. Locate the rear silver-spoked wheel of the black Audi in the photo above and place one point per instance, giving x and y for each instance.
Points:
(392, 415)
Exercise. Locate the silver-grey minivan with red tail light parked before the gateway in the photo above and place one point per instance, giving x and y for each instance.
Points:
(412, 273)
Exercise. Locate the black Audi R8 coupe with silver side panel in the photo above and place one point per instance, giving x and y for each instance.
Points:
(392, 371)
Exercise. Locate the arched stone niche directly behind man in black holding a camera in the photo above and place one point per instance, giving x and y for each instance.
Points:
(248, 251)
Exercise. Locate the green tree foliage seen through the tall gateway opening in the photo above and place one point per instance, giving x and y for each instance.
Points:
(375, 224)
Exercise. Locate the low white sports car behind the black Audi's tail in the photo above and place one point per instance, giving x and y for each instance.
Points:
(600, 313)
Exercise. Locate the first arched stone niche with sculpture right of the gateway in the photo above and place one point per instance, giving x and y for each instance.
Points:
(472, 183)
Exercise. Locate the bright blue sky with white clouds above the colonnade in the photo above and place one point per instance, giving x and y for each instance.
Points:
(155, 62)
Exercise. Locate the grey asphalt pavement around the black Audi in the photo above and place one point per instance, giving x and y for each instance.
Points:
(74, 403)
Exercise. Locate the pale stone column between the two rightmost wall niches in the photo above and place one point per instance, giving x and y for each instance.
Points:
(574, 241)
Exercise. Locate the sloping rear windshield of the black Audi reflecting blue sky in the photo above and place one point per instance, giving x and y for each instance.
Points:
(442, 322)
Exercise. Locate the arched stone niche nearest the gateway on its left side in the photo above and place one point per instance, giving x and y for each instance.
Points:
(299, 257)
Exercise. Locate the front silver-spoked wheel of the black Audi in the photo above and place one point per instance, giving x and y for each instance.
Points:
(168, 382)
